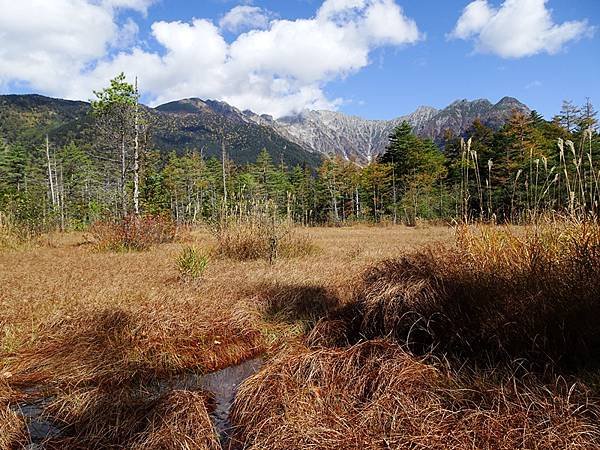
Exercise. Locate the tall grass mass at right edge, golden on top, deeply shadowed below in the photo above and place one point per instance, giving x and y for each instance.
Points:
(500, 294)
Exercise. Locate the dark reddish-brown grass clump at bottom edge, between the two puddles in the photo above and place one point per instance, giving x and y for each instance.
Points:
(128, 418)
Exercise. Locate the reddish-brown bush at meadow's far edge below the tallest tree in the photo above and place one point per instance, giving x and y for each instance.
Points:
(133, 233)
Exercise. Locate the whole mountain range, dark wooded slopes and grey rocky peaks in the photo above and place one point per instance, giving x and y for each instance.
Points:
(200, 125)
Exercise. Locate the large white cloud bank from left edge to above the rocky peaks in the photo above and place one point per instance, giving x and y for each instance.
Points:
(279, 67)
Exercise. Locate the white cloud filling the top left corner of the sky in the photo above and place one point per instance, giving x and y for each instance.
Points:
(49, 47)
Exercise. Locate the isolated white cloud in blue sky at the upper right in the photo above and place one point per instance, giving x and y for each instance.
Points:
(516, 29)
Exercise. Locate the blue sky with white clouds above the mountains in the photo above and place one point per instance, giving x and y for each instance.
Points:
(378, 59)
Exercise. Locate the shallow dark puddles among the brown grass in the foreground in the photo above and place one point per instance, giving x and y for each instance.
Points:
(223, 384)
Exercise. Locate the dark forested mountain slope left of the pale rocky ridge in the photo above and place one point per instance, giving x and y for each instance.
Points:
(187, 124)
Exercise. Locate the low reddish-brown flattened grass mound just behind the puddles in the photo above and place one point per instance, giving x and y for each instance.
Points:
(116, 346)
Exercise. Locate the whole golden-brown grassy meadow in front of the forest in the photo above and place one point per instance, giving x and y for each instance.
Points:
(372, 337)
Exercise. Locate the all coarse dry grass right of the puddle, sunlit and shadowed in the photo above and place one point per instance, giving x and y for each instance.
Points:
(490, 342)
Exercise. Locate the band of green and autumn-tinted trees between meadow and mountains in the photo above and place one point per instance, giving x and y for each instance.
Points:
(527, 168)
